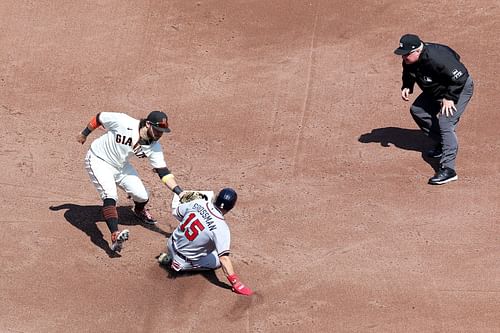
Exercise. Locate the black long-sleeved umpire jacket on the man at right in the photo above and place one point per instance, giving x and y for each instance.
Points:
(438, 72)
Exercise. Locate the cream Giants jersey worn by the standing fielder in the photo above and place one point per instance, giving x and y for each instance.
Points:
(122, 141)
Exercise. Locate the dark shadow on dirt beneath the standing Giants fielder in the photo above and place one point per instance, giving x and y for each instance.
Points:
(86, 217)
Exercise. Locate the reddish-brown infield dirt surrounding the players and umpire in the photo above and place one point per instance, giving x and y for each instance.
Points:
(295, 104)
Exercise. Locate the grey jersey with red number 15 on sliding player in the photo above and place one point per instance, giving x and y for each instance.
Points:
(202, 230)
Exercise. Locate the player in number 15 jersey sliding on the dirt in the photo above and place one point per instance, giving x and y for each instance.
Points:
(202, 239)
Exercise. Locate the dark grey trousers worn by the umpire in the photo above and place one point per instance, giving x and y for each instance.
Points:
(425, 111)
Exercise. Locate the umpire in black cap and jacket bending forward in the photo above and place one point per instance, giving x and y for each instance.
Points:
(446, 88)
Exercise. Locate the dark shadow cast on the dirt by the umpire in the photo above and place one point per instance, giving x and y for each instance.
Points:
(403, 138)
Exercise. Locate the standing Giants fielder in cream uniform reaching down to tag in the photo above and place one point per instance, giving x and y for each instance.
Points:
(107, 163)
